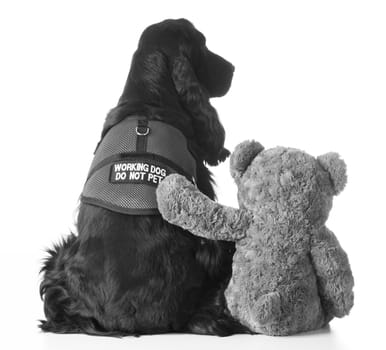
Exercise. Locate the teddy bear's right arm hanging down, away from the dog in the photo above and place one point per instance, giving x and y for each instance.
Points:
(335, 279)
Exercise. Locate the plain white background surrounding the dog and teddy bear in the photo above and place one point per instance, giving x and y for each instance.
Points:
(309, 74)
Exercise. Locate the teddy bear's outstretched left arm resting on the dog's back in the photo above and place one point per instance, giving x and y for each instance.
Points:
(182, 204)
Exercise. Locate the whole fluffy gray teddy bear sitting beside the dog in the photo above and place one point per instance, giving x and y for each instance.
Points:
(289, 272)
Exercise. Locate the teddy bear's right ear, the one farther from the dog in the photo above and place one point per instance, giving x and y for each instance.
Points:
(336, 167)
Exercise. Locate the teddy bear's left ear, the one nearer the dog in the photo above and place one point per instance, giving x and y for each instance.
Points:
(242, 157)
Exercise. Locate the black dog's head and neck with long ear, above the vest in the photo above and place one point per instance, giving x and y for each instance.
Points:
(173, 69)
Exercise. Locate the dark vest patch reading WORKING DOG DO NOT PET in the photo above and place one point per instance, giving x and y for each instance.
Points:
(137, 172)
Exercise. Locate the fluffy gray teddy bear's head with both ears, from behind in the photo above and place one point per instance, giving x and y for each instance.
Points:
(286, 180)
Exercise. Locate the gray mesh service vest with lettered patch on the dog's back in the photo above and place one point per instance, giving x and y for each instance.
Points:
(131, 160)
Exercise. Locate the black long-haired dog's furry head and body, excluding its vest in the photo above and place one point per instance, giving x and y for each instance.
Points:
(128, 274)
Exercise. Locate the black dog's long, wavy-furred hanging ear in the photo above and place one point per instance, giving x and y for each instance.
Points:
(194, 96)
